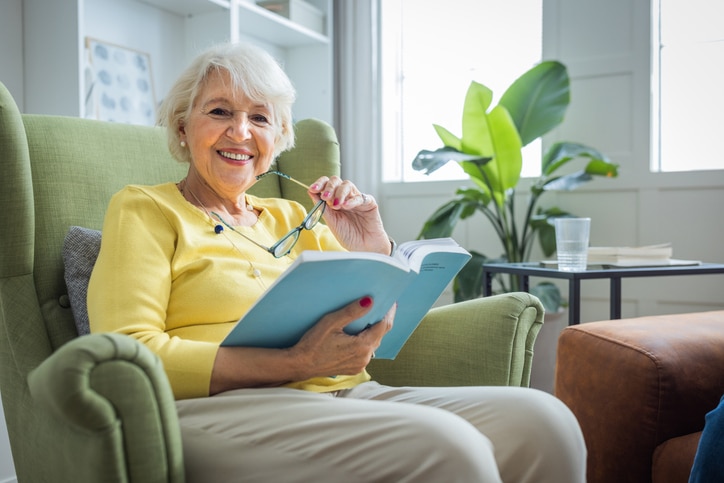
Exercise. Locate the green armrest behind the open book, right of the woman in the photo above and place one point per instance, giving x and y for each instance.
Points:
(487, 341)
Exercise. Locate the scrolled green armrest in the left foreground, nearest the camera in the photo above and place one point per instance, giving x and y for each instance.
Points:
(110, 412)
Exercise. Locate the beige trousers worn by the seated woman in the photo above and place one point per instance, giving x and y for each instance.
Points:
(375, 433)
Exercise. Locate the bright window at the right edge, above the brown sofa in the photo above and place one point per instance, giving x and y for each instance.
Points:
(688, 85)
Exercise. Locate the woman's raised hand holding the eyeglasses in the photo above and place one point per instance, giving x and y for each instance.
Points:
(353, 217)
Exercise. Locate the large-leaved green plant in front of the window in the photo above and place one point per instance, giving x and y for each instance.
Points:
(490, 153)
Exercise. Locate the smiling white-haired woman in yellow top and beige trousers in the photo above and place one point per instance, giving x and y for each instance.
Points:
(181, 262)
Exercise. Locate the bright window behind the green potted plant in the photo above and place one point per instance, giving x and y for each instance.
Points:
(431, 51)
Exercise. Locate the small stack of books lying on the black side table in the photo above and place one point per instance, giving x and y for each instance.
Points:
(643, 256)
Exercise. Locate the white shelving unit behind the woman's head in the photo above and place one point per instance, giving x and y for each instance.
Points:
(171, 32)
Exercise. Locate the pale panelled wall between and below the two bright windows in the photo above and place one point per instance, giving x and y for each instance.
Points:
(606, 48)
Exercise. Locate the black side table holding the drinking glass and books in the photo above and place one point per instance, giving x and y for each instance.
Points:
(614, 274)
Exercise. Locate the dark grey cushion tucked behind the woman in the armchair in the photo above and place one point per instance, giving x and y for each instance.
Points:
(80, 251)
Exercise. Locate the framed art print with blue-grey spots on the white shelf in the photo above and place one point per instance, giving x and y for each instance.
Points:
(119, 84)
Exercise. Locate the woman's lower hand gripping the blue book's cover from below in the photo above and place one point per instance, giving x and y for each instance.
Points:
(326, 349)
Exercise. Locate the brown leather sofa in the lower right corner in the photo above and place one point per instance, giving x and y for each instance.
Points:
(640, 389)
